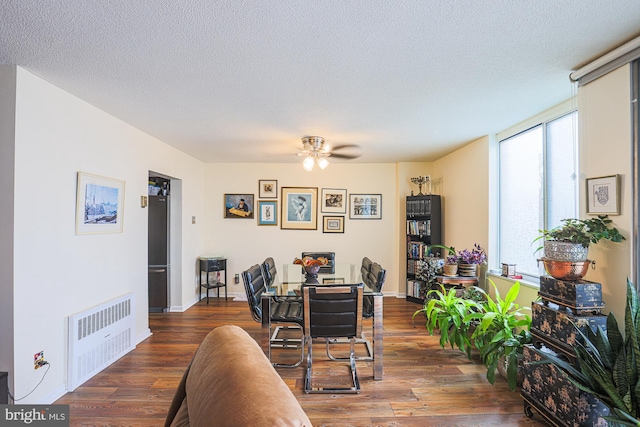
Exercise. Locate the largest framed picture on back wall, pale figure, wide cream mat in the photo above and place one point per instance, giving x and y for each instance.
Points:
(299, 207)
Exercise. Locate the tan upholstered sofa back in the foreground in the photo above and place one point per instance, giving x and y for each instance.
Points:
(230, 382)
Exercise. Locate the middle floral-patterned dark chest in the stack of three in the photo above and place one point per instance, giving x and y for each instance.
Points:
(553, 325)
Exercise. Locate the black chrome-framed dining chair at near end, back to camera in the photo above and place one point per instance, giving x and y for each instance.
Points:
(332, 312)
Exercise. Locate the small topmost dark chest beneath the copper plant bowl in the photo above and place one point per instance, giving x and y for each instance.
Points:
(579, 295)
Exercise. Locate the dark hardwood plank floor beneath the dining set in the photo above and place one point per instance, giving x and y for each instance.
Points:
(423, 384)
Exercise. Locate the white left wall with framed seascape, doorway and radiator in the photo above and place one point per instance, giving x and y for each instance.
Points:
(58, 273)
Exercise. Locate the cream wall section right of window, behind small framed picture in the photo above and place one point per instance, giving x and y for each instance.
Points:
(604, 114)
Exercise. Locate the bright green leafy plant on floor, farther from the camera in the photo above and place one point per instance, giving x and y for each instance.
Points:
(447, 311)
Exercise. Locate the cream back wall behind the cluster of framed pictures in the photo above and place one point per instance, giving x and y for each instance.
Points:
(245, 243)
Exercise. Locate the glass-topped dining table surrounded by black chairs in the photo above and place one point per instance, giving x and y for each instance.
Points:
(289, 282)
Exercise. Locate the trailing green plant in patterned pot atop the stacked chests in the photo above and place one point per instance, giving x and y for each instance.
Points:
(570, 241)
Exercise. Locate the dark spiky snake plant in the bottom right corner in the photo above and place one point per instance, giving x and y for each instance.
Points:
(609, 364)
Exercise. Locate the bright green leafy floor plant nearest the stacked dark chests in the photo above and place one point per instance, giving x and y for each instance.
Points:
(502, 332)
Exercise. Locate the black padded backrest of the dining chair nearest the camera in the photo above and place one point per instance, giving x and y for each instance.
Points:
(333, 311)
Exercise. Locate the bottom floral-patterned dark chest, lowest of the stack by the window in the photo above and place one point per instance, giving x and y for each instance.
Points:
(548, 390)
